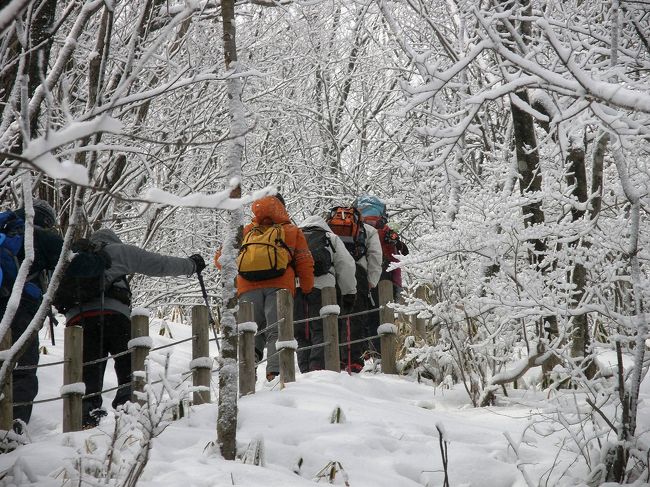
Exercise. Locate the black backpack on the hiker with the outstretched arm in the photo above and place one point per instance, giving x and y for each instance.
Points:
(84, 278)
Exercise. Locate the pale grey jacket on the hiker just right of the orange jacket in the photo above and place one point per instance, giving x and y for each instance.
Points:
(342, 270)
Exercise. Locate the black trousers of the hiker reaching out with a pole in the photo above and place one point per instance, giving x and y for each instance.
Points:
(104, 335)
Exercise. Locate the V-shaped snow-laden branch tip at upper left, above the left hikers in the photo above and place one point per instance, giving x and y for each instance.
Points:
(39, 151)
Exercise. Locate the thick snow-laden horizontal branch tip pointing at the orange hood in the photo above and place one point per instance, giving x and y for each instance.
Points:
(220, 200)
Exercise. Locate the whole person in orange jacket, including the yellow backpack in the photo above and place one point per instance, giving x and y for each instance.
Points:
(273, 253)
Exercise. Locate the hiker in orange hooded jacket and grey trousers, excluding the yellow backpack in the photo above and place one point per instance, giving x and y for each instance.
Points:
(267, 211)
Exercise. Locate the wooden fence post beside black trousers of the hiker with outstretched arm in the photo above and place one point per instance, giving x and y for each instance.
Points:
(72, 377)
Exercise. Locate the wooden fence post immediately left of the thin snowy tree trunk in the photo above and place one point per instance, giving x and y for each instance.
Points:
(201, 364)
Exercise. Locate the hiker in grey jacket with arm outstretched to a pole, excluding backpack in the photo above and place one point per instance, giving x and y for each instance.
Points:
(107, 322)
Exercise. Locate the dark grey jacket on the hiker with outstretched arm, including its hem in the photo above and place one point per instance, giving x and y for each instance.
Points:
(129, 259)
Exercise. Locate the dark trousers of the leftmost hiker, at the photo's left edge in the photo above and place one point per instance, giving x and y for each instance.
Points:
(25, 382)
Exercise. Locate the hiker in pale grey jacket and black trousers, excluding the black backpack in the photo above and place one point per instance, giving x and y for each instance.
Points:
(340, 274)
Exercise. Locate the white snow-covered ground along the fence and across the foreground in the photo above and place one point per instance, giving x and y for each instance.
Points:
(388, 436)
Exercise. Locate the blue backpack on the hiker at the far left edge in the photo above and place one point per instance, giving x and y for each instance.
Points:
(12, 237)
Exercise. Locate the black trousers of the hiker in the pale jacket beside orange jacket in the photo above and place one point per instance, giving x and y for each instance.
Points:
(310, 333)
